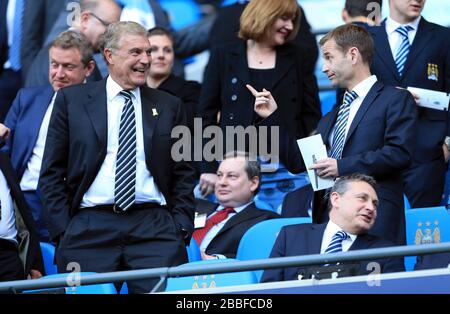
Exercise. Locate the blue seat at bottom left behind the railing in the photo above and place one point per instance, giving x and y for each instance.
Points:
(104, 288)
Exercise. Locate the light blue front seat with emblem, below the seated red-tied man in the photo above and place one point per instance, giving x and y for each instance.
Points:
(212, 280)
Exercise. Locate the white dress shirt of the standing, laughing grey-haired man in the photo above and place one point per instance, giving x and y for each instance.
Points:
(101, 191)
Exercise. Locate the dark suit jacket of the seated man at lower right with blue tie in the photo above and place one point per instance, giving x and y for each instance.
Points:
(306, 239)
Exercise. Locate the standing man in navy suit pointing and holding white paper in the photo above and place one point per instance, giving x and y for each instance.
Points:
(371, 132)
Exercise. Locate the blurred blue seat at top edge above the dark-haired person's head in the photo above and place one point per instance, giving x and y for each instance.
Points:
(182, 13)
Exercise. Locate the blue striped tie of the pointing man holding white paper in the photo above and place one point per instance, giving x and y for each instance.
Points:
(341, 125)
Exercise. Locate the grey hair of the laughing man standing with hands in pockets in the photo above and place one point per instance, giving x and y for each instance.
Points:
(115, 31)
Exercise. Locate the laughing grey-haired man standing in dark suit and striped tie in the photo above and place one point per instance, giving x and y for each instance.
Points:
(116, 198)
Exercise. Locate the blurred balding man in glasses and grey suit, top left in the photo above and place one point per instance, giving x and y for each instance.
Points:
(94, 17)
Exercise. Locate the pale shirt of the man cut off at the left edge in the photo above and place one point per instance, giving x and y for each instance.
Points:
(8, 229)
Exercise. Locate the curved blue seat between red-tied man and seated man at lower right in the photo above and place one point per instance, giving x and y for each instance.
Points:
(258, 241)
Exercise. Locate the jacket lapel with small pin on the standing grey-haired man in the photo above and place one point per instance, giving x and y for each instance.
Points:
(151, 111)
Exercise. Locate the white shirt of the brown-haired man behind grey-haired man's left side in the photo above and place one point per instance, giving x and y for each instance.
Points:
(30, 178)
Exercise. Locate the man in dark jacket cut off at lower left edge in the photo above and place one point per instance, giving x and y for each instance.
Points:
(20, 254)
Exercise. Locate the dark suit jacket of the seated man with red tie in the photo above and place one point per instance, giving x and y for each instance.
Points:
(226, 242)
